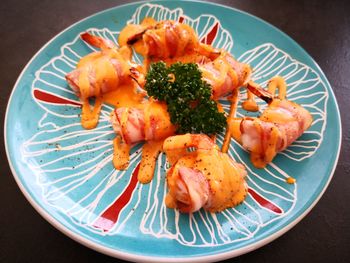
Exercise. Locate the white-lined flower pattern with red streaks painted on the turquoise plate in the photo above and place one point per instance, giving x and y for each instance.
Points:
(74, 168)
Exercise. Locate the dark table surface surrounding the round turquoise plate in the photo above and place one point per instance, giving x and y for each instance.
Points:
(321, 27)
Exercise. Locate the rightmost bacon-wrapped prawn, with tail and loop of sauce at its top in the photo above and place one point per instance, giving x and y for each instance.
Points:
(278, 127)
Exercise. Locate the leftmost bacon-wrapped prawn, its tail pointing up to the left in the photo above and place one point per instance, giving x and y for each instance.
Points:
(101, 71)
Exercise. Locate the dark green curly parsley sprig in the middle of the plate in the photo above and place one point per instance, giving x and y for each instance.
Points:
(188, 97)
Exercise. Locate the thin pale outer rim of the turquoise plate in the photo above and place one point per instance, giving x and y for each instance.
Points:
(132, 256)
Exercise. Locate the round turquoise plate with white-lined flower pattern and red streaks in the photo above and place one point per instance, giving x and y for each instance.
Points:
(66, 172)
